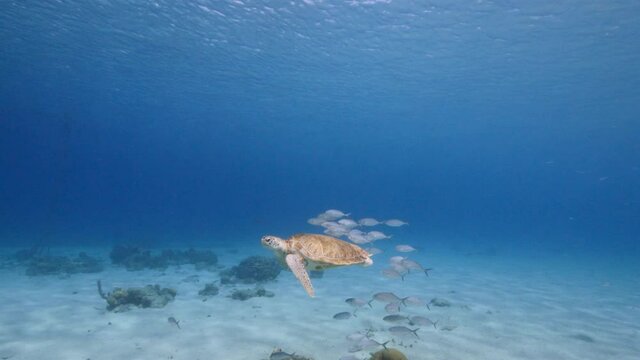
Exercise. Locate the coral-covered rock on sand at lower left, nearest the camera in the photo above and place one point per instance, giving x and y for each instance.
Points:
(120, 300)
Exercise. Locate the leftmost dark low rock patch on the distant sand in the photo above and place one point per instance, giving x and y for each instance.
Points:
(62, 265)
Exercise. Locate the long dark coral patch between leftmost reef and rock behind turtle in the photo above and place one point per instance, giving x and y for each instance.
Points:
(134, 258)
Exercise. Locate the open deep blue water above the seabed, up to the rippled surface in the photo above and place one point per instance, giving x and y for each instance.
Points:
(214, 121)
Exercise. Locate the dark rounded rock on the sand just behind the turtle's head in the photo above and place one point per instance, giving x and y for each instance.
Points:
(252, 270)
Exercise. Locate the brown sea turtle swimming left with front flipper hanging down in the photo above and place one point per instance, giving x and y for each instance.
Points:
(315, 252)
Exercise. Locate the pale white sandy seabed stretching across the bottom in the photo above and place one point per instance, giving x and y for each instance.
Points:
(503, 307)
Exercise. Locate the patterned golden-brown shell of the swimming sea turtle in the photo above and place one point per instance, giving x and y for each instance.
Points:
(327, 250)
